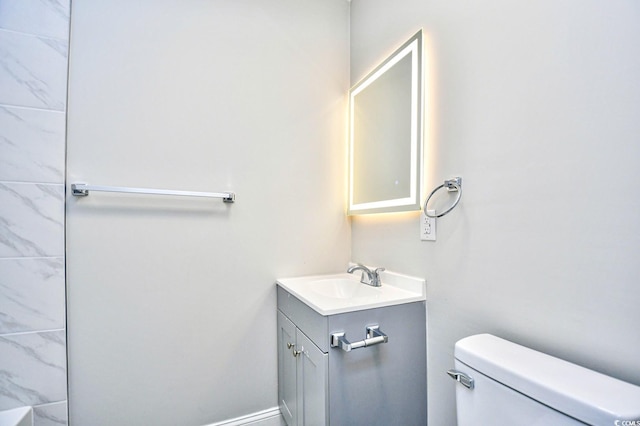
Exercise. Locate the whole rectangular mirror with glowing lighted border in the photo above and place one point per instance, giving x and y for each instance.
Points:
(385, 134)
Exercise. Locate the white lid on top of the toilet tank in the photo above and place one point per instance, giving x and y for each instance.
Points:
(584, 394)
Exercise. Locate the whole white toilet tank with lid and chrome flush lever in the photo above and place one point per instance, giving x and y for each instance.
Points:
(502, 383)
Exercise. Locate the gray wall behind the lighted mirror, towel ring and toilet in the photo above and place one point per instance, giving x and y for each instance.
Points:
(536, 105)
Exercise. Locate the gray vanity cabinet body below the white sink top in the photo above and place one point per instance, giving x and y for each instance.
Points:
(383, 384)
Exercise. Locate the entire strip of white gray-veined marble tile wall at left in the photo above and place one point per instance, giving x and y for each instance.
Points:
(33, 86)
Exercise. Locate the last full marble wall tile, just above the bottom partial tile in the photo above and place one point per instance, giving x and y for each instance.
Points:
(32, 369)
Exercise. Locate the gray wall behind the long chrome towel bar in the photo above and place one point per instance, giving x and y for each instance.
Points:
(172, 302)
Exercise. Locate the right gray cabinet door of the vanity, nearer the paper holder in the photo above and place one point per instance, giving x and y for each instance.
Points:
(313, 367)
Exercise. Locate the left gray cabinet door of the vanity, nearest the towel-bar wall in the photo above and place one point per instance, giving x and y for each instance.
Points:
(287, 370)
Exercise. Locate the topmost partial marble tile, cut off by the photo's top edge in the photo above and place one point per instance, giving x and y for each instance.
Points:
(49, 18)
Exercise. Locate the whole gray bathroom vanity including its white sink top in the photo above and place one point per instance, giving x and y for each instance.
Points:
(334, 369)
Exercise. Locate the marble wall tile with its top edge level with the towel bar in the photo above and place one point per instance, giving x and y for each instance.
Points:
(31, 220)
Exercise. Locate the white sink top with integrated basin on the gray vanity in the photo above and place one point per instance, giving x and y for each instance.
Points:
(339, 293)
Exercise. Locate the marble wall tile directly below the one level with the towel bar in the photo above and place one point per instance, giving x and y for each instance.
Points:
(32, 294)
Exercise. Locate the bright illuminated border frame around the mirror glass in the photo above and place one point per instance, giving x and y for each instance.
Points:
(412, 47)
